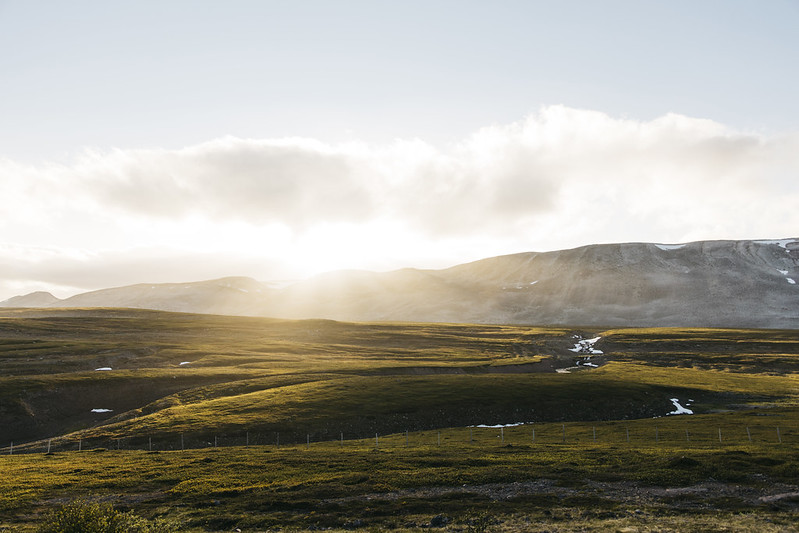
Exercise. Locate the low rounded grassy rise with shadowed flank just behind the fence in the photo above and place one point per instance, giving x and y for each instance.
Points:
(364, 405)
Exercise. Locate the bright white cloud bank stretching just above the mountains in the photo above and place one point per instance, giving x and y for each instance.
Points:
(561, 177)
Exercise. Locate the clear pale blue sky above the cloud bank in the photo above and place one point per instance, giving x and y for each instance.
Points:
(129, 74)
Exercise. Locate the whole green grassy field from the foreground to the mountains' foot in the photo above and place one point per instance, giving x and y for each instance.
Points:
(221, 423)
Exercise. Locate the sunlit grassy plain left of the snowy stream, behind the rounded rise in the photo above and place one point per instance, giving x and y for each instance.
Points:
(49, 384)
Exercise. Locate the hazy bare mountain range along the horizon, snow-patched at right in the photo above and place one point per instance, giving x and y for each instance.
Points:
(707, 283)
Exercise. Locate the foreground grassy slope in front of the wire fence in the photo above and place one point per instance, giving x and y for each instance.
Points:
(326, 485)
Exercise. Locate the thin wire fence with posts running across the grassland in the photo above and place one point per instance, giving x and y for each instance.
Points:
(688, 436)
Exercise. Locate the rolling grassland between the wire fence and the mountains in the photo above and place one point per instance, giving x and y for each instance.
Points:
(112, 373)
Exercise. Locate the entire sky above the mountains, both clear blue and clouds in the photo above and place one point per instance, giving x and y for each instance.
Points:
(181, 140)
